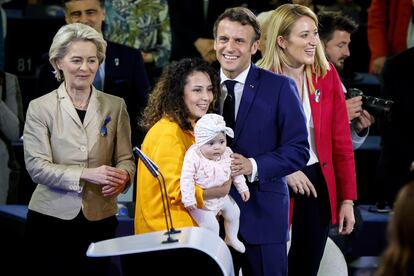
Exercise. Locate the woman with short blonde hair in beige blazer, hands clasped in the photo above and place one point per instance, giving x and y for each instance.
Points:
(77, 149)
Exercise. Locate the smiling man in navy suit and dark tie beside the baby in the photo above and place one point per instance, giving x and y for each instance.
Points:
(270, 142)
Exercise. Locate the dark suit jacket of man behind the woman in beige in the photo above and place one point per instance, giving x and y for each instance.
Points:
(125, 77)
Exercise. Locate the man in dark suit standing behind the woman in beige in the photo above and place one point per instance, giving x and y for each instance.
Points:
(123, 72)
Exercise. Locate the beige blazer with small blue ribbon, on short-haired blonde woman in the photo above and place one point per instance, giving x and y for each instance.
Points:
(57, 146)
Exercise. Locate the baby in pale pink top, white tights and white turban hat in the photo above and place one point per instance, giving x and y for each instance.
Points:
(207, 164)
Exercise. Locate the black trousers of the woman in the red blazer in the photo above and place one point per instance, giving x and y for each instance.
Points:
(310, 226)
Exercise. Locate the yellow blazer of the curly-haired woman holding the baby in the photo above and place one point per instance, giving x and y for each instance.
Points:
(165, 144)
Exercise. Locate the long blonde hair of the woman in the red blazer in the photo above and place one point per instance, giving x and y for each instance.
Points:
(280, 23)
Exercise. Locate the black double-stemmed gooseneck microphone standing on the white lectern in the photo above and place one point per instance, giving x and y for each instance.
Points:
(154, 170)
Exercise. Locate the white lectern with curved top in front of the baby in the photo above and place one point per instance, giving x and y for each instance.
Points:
(146, 253)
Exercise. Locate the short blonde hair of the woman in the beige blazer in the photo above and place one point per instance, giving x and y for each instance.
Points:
(70, 33)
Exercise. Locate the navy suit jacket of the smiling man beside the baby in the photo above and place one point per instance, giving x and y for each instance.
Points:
(270, 127)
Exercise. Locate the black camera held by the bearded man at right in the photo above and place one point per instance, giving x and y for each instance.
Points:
(375, 106)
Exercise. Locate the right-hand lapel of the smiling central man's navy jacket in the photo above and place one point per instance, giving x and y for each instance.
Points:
(249, 93)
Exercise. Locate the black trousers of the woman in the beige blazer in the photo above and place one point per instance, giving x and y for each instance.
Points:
(58, 247)
